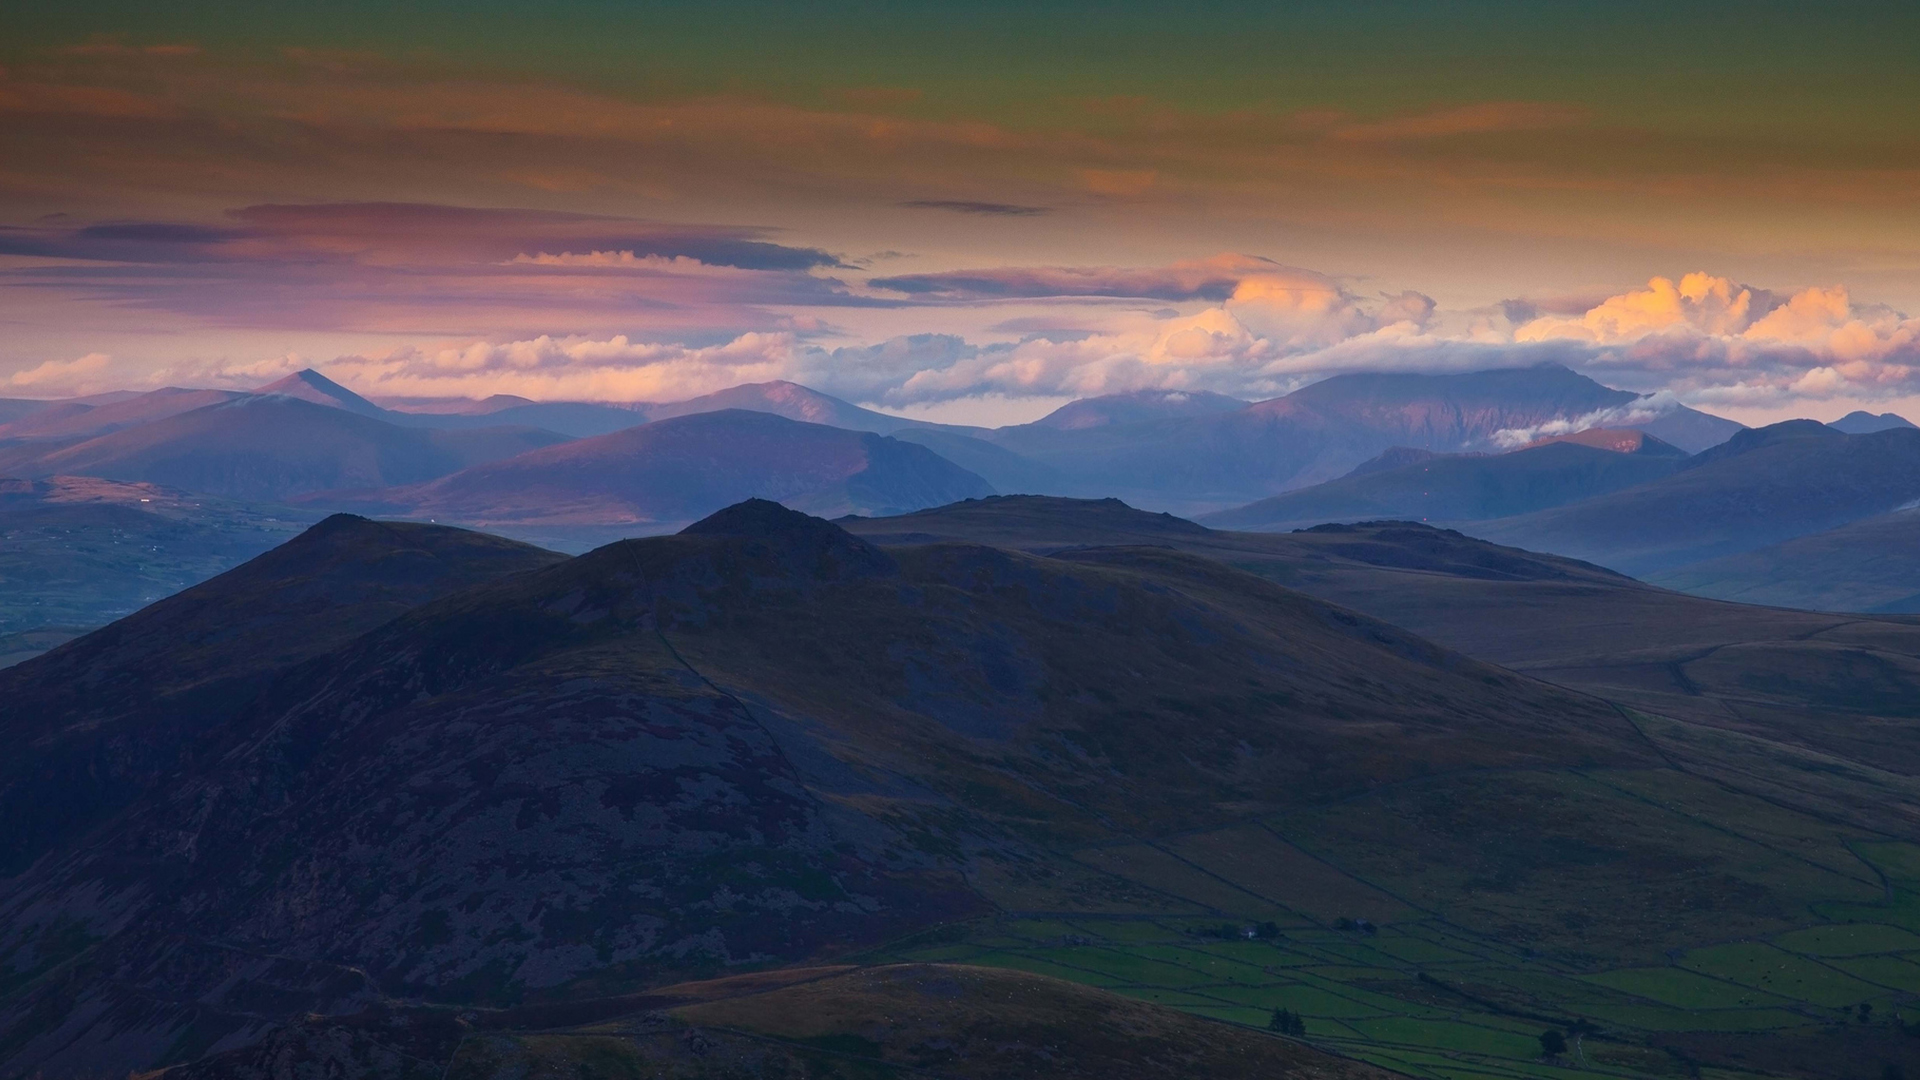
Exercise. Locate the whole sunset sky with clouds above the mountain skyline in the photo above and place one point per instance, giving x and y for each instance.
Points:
(967, 212)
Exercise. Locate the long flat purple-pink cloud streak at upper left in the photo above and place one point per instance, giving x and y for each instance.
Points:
(439, 270)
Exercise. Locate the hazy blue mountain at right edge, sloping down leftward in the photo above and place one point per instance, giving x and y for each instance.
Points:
(1762, 487)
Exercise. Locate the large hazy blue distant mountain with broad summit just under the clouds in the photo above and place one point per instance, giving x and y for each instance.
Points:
(1216, 460)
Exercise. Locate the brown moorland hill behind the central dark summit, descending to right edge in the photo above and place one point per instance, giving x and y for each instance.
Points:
(1804, 695)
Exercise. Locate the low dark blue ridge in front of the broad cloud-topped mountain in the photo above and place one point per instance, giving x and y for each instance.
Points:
(1466, 487)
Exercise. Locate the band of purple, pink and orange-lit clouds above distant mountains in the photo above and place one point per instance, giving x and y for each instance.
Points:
(554, 307)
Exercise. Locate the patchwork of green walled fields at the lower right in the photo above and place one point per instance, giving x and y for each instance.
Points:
(1462, 987)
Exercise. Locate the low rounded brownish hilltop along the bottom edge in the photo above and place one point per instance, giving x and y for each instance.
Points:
(828, 1023)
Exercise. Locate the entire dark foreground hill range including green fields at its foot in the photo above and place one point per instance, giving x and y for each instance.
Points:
(1015, 785)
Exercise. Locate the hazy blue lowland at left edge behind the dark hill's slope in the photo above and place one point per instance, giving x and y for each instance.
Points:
(78, 552)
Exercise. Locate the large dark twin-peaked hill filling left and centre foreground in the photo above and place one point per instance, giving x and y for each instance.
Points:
(660, 760)
